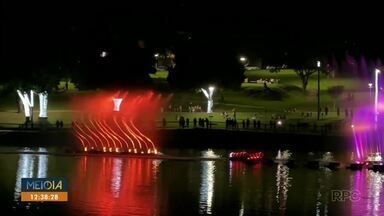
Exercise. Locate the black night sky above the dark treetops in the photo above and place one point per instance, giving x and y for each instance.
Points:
(44, 30)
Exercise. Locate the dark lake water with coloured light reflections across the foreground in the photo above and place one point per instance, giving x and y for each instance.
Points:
(105, 185)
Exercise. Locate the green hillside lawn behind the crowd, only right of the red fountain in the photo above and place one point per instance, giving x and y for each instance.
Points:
(289, 93)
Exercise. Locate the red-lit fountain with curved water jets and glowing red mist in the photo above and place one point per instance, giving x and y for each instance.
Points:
(118, 123)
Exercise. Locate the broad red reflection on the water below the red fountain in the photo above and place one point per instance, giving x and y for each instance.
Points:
(114, 186)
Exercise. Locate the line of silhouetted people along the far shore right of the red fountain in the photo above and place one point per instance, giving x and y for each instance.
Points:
(260, 121)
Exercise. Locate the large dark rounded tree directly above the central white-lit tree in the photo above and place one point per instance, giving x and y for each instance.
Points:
(203, 63)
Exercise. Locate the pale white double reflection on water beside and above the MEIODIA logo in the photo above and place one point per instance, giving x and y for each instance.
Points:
(26, 168)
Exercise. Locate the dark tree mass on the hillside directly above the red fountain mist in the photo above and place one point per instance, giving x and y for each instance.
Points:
(126, 66)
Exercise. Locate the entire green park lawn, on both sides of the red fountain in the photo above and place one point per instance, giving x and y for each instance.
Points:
(249, 101)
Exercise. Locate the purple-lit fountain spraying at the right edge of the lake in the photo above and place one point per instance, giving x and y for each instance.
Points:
(367, 127)
